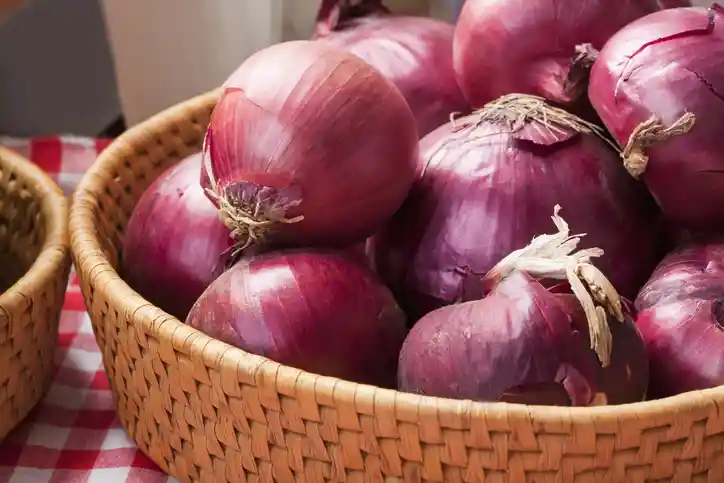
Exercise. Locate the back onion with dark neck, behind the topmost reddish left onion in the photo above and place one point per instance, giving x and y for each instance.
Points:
(414, 53)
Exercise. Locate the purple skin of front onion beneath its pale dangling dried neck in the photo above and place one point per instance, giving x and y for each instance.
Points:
(523, 344)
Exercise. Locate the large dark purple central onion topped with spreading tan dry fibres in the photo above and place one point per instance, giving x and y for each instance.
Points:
(487, 180)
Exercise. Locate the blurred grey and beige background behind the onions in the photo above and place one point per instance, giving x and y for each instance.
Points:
(79, 66)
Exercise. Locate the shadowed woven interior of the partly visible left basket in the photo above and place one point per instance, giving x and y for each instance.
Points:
(22, 225)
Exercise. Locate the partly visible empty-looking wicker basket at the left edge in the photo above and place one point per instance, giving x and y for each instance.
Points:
(34, 266)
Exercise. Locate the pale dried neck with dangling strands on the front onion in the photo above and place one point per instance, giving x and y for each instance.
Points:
(553, 256)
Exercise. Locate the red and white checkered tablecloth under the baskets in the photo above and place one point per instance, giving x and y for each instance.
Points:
(73, 436)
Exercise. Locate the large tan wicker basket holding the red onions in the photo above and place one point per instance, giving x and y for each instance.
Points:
(208, 412)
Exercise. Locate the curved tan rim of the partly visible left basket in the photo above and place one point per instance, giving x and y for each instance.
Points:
(55, 210)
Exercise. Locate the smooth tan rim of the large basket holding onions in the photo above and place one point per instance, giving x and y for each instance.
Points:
(89, 259)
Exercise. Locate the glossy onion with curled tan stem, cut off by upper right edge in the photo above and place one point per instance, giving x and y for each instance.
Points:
(658, 85)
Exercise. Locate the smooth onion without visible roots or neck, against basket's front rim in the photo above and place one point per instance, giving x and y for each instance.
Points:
(315, 311)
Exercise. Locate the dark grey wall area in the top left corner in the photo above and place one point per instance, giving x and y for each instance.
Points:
(56, 74)
